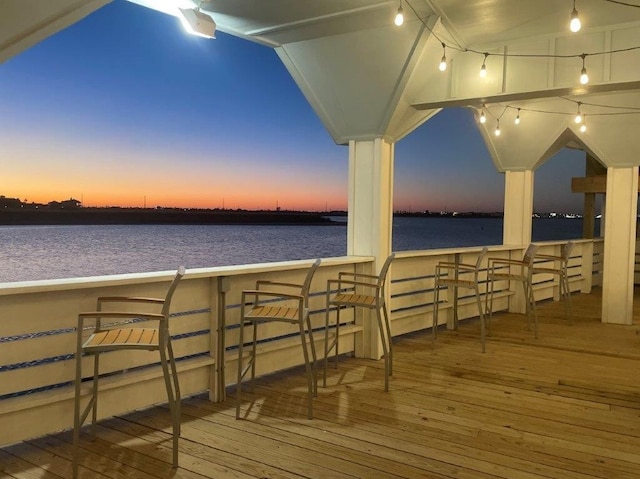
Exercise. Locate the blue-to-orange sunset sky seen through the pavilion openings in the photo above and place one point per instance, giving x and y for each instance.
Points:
(126, 109)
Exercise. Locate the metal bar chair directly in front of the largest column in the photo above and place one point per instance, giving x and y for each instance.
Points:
(346, 296)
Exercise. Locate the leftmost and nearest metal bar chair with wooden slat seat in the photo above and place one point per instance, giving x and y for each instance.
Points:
(113, 337)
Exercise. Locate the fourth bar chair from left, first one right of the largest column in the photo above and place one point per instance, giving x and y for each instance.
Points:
(452, 275)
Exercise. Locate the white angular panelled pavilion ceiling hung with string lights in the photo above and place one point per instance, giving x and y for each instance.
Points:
(367, 78)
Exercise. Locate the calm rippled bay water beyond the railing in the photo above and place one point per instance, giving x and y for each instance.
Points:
(48, 252)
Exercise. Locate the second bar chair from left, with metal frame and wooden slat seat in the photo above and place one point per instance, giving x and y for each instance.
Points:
(259, 312)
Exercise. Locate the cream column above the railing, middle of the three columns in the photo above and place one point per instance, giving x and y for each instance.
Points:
(518, 207)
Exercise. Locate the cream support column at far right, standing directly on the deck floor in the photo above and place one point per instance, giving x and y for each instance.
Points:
(619, 245)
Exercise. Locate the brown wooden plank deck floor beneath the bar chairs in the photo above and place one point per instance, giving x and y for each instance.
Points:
(565, 406)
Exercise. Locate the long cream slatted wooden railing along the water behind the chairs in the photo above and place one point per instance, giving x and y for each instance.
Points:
(38, 320)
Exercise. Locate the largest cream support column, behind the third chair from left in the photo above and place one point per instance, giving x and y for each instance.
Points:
(370, 217)
